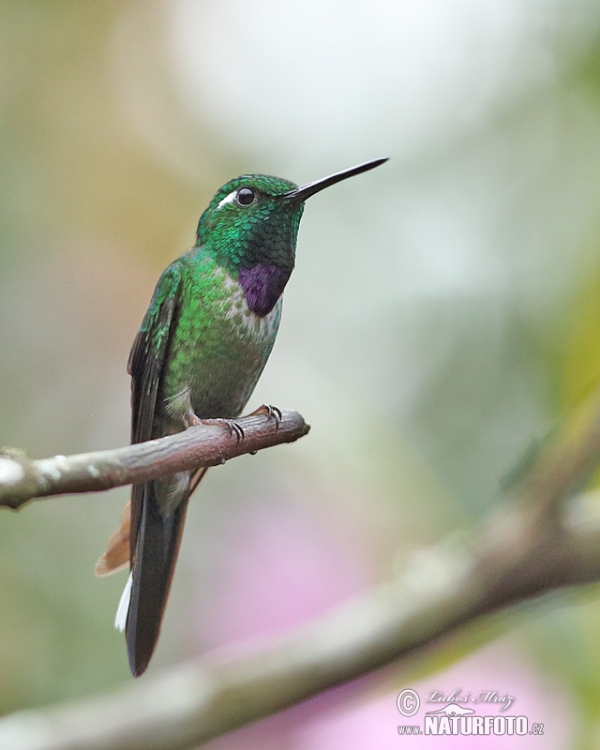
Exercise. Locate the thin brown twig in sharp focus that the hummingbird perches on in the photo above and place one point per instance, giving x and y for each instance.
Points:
(22, 478)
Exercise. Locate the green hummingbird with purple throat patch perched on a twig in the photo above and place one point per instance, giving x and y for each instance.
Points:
(201, 348)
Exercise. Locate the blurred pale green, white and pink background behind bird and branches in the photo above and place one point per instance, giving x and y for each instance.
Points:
(443, 316)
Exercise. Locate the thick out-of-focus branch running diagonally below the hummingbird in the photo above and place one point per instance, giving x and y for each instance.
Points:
(533, 544)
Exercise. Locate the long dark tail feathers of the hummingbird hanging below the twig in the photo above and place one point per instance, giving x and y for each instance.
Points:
(157, 547)
